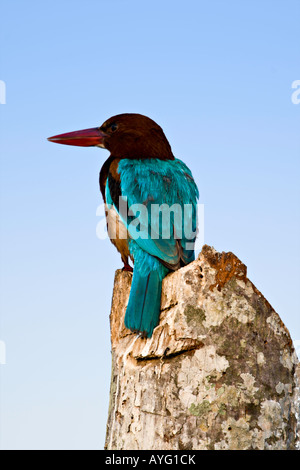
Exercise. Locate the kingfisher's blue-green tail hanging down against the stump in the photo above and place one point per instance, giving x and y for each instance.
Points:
(143, 309)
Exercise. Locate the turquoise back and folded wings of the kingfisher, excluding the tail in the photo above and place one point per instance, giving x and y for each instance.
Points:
(148, 185)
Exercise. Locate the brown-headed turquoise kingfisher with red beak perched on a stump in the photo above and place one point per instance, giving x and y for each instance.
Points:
(142, 174)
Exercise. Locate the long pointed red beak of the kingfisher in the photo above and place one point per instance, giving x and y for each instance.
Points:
(84, 138)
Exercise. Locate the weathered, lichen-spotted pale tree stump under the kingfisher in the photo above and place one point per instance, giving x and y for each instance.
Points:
(218, 373)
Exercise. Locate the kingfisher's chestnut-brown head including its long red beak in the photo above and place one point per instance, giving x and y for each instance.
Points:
(125, 136)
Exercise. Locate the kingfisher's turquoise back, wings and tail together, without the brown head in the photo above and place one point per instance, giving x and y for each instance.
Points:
(162, 221)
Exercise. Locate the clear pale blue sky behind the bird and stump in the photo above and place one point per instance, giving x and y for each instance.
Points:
(217, 76)
